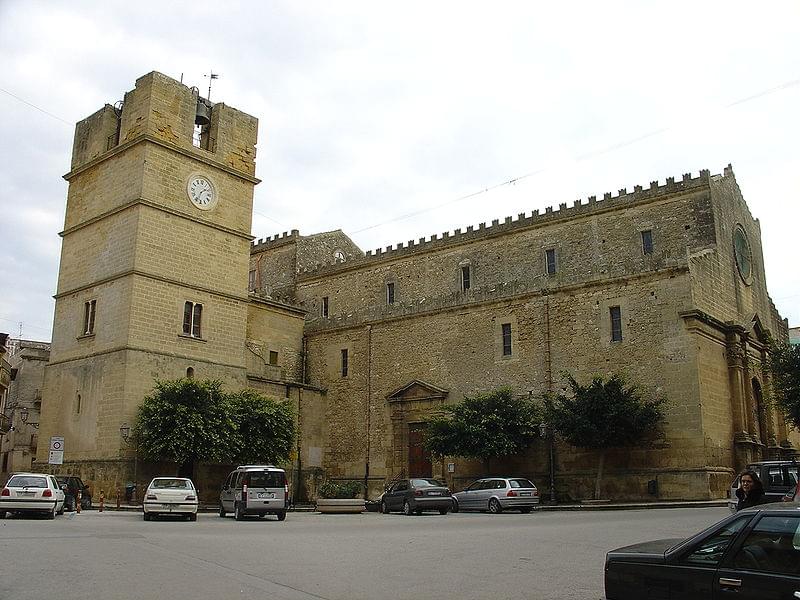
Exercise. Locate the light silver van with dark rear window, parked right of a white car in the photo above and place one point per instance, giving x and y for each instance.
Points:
(255, 490)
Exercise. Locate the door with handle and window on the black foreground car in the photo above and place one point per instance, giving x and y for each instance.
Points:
(766, 564)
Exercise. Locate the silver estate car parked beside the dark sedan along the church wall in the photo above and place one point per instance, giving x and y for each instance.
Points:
(496, 494)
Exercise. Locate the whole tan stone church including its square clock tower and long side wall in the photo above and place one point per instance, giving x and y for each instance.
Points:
(159, 278)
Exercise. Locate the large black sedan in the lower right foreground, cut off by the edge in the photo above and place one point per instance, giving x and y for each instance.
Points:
(753, 554)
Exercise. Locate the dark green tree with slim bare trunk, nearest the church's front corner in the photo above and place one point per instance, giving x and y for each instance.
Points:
(604, 414)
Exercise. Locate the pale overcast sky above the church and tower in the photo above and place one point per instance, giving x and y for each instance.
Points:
(381, 118)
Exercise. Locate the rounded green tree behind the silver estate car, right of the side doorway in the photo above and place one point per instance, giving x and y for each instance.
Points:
(485, 426)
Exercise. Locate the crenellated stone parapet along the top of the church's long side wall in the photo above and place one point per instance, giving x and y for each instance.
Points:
(623, 198)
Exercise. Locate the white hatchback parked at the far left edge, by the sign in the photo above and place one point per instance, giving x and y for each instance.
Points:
(32, 493)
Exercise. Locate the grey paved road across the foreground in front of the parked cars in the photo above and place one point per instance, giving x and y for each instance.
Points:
(109, 556)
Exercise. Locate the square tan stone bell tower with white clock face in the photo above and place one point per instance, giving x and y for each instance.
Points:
(154, 265)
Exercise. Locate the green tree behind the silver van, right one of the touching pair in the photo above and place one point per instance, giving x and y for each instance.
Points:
(265, 428)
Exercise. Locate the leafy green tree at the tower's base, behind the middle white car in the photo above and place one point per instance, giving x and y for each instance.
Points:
(185, 421)
